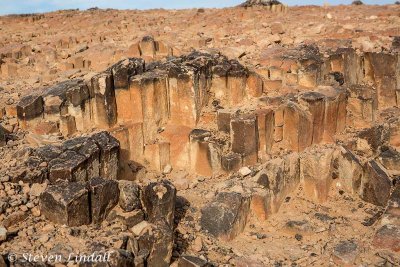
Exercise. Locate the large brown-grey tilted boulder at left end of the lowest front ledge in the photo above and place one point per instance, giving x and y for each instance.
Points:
(226, 215)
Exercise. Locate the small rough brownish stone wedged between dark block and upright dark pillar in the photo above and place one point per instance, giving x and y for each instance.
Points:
(129, 198)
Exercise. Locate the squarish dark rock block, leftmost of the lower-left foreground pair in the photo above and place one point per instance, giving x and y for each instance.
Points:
(66, 203)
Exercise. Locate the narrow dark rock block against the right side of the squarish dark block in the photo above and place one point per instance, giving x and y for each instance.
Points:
(104, 195)
